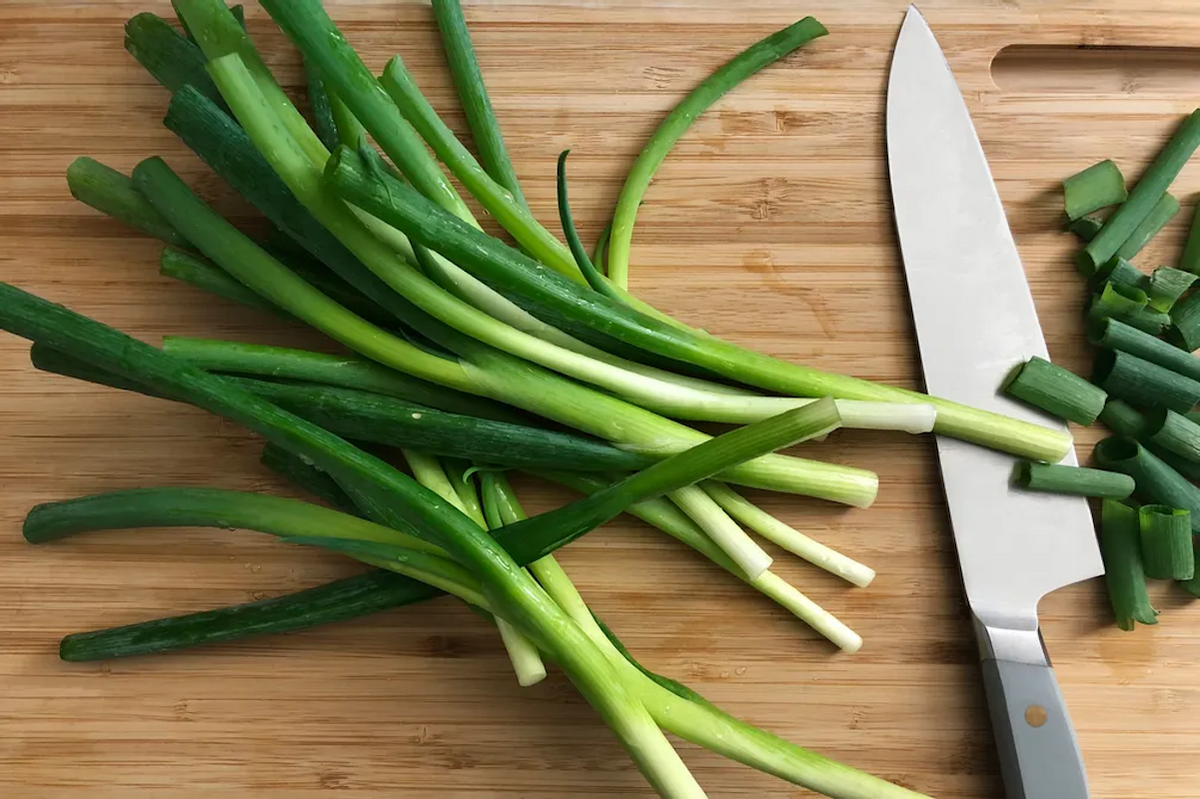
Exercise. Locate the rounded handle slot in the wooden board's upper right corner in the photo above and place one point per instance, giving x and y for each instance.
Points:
(1090, 69)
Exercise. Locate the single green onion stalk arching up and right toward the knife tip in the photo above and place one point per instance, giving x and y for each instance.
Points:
(755, 58)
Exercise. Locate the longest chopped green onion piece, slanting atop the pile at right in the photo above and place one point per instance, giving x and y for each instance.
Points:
(1144, 197)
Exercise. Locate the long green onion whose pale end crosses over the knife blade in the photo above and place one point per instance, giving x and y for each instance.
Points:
(513, 272)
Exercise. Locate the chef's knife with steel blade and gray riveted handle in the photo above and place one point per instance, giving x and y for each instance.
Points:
(975, 322)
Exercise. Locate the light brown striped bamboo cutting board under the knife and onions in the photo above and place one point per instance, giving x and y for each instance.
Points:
(770, 225)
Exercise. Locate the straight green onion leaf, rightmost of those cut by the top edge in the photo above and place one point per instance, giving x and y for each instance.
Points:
(469, 81)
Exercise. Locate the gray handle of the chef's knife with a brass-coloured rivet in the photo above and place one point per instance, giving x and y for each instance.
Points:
(1040, 756)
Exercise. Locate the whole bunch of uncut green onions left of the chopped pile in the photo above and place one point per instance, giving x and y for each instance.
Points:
(471, 357)
